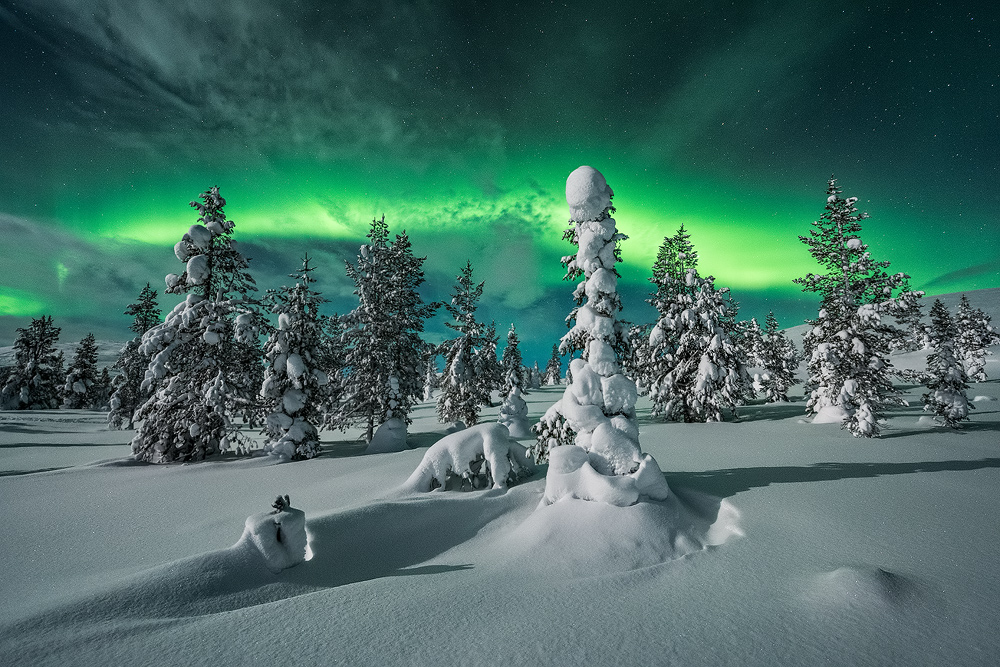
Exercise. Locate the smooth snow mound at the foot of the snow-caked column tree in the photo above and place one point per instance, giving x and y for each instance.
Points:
(578, 538)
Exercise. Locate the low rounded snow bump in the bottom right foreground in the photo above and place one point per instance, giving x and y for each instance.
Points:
(862, 587)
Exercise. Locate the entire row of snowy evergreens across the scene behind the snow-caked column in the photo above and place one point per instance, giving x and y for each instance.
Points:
(194, 377)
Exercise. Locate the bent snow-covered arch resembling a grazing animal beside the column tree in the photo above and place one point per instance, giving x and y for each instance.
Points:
(463, 455)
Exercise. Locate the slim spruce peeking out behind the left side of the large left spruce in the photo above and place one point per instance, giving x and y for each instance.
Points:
(131, 365)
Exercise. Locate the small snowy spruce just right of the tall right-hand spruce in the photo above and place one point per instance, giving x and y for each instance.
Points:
(947, 381)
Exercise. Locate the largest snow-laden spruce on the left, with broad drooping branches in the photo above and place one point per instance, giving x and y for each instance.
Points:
(196, 375)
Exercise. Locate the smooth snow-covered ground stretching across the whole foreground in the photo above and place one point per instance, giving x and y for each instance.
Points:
(786, 543)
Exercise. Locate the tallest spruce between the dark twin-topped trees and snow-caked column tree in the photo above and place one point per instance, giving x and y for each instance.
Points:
(463, 390)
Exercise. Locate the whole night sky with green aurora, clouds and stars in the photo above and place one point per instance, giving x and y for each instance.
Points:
(459, 121)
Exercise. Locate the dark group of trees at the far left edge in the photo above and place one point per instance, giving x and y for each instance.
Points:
(39, 379)
